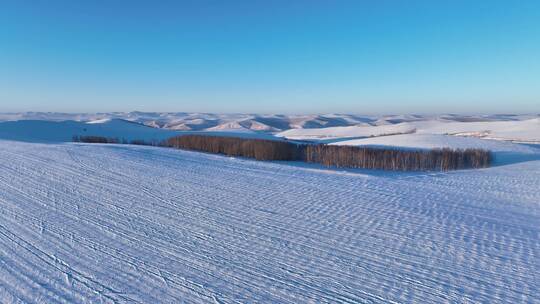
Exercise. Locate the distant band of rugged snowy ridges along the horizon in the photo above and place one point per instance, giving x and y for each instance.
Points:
(261, 123)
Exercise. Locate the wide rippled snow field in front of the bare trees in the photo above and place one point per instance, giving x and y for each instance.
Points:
(118, 223)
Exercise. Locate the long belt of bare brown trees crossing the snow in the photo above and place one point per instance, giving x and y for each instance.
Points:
(327, 155)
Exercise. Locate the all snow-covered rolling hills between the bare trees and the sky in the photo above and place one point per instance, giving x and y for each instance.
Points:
(418, 131)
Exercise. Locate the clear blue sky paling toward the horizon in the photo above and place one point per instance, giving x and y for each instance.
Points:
(270, 56)
